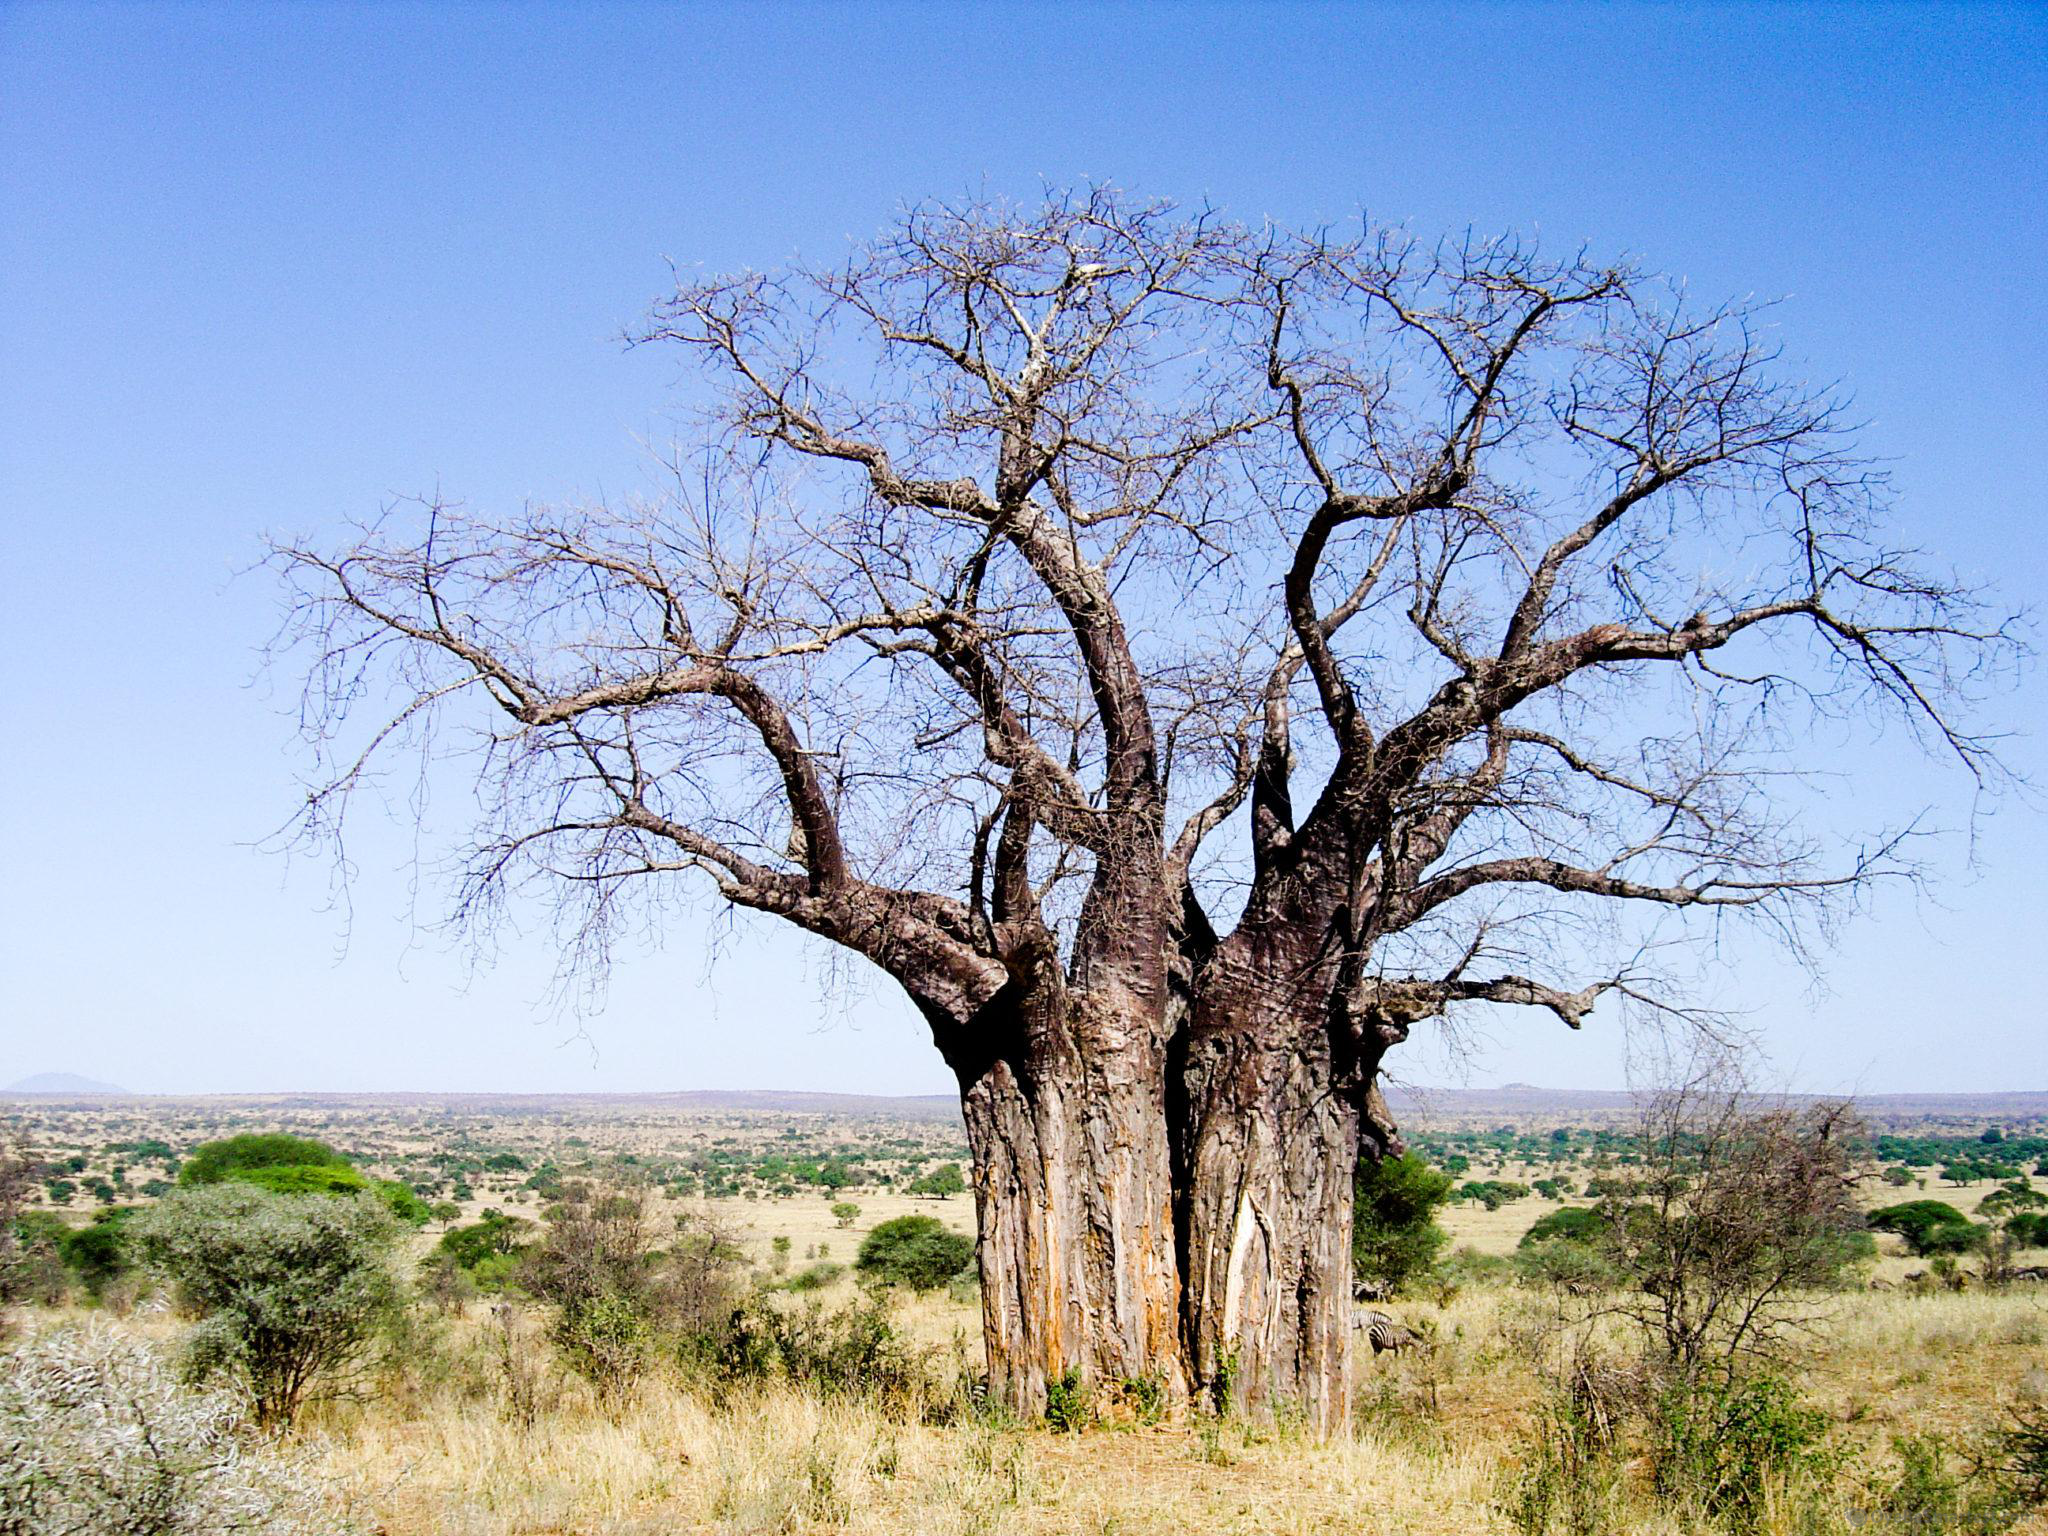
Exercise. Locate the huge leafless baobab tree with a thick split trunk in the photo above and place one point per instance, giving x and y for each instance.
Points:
(1185, 658)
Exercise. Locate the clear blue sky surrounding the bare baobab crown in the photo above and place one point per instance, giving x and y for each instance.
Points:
(265, 267)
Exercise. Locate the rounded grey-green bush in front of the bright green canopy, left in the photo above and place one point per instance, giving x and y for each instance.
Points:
(292, 1287)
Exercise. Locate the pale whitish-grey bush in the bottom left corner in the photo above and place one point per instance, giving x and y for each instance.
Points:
(95, 1437)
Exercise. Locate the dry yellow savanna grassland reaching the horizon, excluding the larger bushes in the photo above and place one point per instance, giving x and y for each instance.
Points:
(466, 1420)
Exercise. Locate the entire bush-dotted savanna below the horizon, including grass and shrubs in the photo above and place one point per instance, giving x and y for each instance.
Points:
(1719, 1318)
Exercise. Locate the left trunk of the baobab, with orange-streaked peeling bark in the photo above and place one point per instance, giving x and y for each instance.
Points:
(1066, 1119)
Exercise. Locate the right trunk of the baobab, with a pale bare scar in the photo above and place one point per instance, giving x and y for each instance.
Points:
(1267, 1148)
